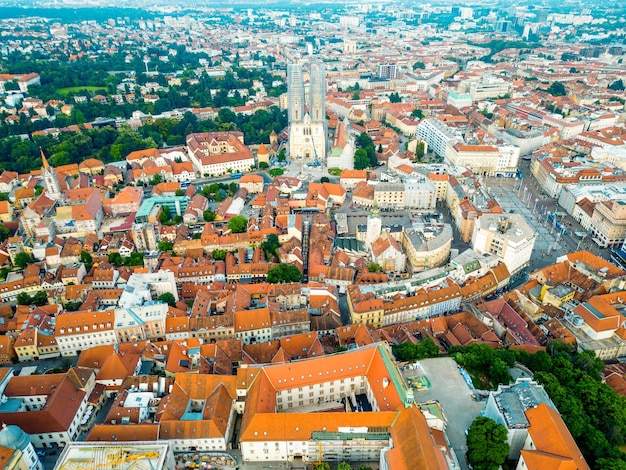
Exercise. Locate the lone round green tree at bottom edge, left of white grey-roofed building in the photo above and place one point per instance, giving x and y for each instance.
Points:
(487, 446)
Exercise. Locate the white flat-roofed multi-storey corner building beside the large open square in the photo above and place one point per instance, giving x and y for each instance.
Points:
(507, 236)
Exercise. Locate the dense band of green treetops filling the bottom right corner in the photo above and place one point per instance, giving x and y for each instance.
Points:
(593, 412)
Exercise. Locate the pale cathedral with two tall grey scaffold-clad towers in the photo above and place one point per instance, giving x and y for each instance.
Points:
(307, 119)
